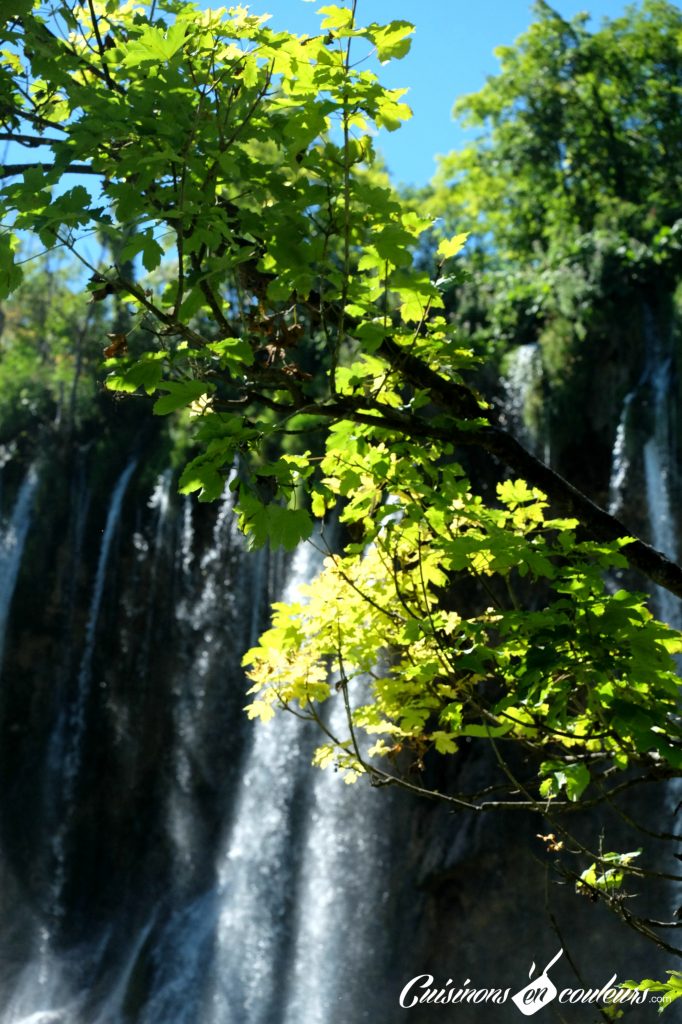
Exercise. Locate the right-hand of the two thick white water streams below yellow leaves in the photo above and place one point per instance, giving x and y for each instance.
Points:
(337, 967)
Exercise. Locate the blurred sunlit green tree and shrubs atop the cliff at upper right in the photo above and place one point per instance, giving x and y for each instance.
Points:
(573, 184)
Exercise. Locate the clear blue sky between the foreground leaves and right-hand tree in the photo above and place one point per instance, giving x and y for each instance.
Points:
(452, 54)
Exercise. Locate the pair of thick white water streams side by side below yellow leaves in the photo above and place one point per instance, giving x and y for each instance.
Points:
(300, 861)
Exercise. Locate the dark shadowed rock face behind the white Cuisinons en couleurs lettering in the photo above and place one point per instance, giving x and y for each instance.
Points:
(483, 898)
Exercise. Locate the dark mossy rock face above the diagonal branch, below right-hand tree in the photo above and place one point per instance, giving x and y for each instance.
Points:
(563, 394)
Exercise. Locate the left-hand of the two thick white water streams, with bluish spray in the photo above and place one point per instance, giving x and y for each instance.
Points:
(223, 957)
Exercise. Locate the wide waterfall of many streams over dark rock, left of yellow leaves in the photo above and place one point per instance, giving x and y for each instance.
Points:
(270, 863)
